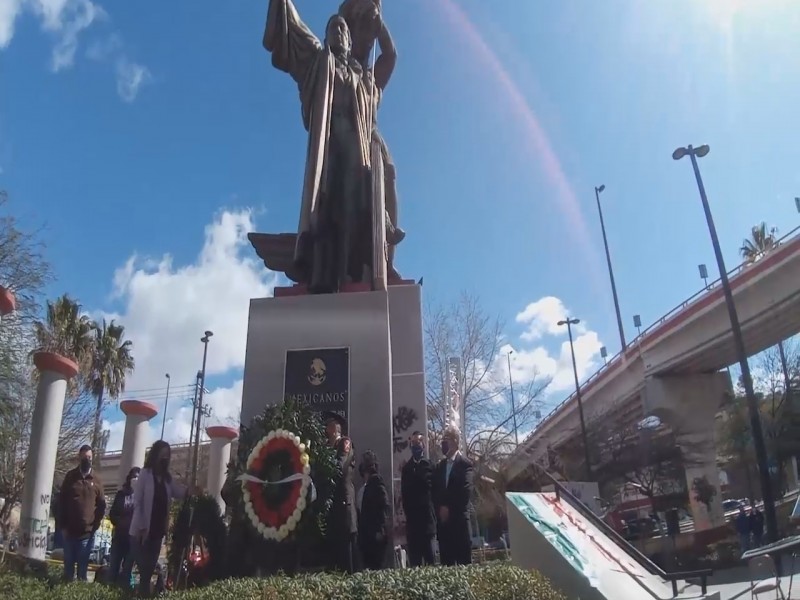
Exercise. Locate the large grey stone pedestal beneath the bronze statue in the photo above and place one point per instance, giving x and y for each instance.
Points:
(385, 388)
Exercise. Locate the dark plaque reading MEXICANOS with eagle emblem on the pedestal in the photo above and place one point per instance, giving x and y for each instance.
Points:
(319, 379)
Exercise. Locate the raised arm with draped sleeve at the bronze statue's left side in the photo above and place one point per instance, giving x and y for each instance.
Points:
(292, 44)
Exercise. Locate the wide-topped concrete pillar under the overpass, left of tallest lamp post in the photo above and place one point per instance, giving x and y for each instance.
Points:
(689, 405)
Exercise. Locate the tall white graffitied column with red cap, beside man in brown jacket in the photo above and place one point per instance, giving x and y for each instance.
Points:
(54, 373)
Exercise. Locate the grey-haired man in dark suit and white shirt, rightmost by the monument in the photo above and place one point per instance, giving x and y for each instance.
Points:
(452, 492)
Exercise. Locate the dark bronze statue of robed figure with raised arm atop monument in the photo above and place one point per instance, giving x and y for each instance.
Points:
(339, 98)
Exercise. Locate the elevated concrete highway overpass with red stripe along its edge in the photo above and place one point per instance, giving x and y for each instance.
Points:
(673, 365)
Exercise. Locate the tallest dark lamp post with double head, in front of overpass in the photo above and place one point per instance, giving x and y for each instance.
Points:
(741, 354)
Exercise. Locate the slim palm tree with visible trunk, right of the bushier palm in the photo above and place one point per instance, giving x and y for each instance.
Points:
(111, 362)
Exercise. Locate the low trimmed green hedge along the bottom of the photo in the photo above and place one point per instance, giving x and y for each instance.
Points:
(486, 582)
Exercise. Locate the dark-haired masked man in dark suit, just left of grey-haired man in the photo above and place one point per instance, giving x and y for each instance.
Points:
(416, 480)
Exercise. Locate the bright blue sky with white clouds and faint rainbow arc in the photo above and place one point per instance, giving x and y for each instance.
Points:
(149, 137)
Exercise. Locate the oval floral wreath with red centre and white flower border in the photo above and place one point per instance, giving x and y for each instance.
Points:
(276, 484)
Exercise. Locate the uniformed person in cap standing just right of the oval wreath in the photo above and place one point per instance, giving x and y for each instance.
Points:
(343, 519)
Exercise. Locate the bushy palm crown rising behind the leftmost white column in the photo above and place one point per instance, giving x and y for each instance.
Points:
(66, 331)
